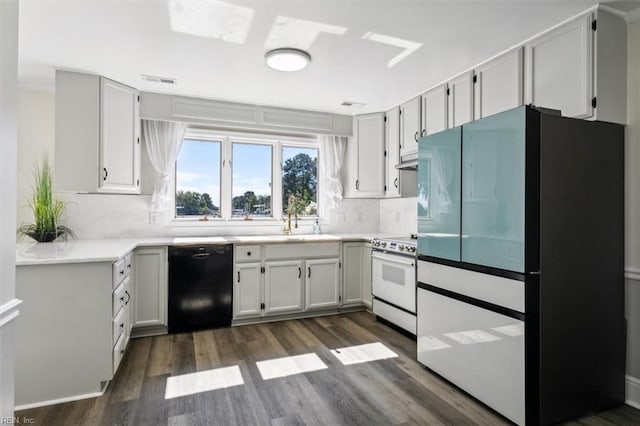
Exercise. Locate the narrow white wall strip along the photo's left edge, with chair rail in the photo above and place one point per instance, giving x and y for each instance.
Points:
(8, 304)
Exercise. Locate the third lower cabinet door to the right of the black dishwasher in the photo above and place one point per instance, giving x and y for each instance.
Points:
(322, 283)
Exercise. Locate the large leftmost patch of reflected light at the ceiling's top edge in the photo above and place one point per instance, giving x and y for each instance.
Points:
(212, 19)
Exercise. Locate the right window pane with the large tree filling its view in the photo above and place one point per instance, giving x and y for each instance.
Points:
(300, 180)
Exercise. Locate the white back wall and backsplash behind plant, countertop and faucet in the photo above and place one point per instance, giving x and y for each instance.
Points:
(113, 216)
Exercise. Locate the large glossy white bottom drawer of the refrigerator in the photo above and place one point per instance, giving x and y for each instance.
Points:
(478, 350)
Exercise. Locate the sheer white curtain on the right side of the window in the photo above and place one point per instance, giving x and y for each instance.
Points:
(333, 148)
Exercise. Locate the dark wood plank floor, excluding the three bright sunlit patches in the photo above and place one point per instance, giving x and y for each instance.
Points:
(394, 391)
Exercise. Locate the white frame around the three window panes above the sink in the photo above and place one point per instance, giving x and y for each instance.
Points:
(226, 139)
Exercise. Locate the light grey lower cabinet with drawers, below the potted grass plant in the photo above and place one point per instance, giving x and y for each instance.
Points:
(79, 316)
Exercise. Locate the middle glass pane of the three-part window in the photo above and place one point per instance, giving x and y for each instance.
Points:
(252, 173)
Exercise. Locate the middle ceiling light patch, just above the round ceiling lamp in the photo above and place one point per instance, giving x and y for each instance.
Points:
(298, 33)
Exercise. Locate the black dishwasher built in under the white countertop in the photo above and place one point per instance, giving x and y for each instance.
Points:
(200, 287)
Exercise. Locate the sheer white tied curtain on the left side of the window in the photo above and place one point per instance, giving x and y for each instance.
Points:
(164, 141)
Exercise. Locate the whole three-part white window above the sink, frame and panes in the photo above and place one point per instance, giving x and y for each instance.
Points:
(239, 177)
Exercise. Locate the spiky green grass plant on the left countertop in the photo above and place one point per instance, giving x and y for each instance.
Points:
(46, 210)
